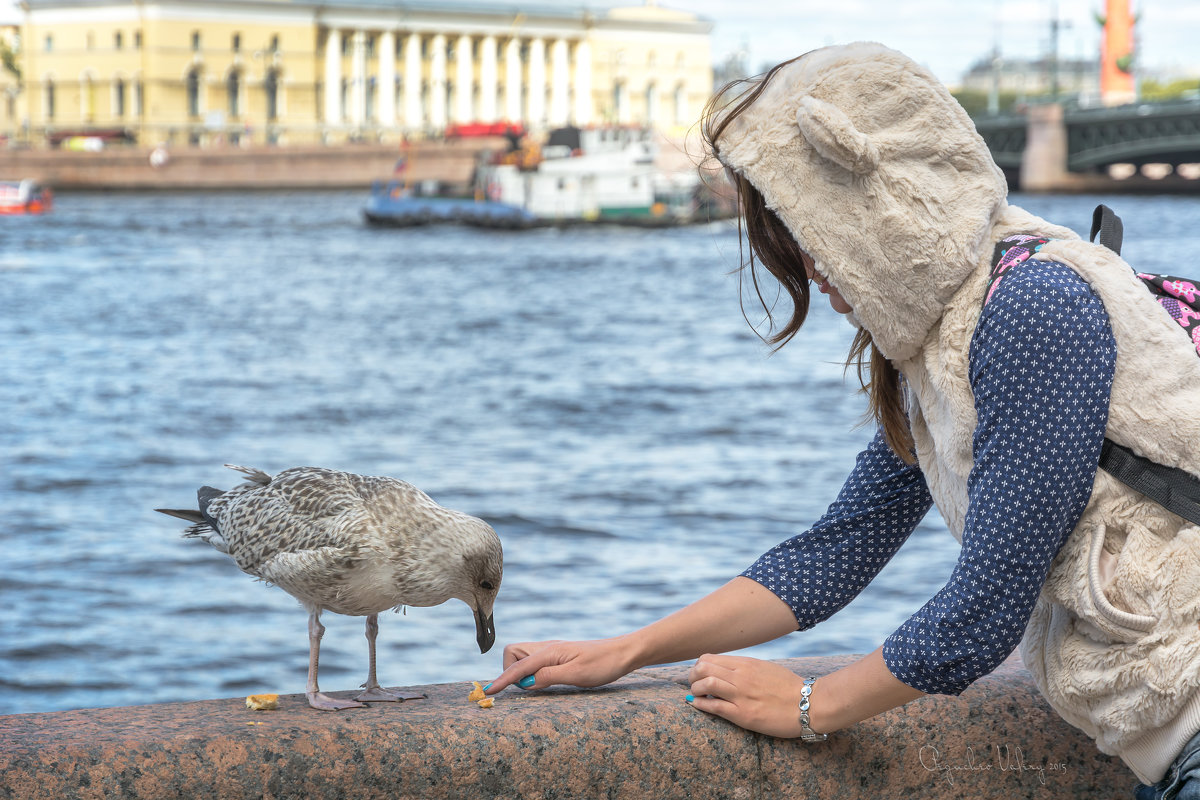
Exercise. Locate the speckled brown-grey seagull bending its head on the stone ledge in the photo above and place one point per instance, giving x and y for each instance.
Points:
(352, 545)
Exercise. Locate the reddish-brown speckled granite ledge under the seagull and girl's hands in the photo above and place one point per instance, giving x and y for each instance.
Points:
(635, 739)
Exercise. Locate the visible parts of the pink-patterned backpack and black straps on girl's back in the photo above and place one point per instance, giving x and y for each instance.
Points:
(1175, 490)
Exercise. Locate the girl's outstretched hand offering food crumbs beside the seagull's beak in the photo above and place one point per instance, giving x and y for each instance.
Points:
(575, 664)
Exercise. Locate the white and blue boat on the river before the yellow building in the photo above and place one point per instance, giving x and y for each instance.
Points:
(579, 177)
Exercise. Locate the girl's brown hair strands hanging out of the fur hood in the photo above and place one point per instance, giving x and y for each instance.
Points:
(772, 244)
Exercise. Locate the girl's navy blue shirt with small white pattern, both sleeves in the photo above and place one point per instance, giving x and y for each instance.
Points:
(1041, 369)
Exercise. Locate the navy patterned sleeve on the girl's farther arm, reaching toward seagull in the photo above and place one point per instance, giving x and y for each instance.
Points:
(821, 570)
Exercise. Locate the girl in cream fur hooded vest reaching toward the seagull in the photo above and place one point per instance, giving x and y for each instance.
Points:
(859, 172)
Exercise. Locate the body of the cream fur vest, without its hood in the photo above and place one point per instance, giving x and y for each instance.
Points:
(1114, 642)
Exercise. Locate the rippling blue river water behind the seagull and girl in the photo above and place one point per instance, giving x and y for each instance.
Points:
(596, 395)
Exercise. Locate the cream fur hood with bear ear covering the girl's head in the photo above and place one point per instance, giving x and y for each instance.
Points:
(881, 178)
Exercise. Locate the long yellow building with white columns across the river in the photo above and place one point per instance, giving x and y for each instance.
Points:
(303, 71)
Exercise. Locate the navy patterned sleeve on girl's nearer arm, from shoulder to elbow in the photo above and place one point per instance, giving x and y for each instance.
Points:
(1042, 364)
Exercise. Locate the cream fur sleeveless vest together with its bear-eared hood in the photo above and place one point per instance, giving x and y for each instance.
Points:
(881, 177)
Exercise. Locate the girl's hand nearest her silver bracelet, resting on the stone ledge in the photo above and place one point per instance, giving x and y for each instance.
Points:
(752, 694)
